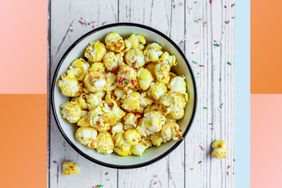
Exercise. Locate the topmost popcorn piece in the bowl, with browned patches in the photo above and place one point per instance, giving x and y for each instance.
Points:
(114, 42)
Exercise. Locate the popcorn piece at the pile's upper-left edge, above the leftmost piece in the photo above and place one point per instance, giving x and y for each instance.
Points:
(78, 69)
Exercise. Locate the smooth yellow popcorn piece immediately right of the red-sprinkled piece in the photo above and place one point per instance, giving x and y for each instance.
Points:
(144, 78)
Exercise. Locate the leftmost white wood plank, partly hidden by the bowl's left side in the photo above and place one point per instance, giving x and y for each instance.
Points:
(67, 18)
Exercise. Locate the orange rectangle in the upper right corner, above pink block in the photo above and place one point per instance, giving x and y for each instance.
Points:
(266, 46)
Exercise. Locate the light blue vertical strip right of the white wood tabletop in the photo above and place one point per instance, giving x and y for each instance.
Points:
(242, 94)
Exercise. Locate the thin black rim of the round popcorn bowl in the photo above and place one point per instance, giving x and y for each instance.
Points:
(95, 160)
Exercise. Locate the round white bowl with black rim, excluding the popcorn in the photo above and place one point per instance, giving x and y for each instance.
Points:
(76, 50)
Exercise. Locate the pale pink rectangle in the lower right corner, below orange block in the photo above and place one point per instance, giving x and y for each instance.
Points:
(266, 137)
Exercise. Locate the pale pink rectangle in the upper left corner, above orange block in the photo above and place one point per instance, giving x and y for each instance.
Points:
(23, 48)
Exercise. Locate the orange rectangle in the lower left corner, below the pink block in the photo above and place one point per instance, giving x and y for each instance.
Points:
(23, 141)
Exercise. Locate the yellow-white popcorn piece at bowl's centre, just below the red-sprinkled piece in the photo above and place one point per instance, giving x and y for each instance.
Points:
(131, 102)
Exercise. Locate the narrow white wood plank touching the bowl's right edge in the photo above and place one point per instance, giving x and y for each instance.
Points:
(196, 43)
